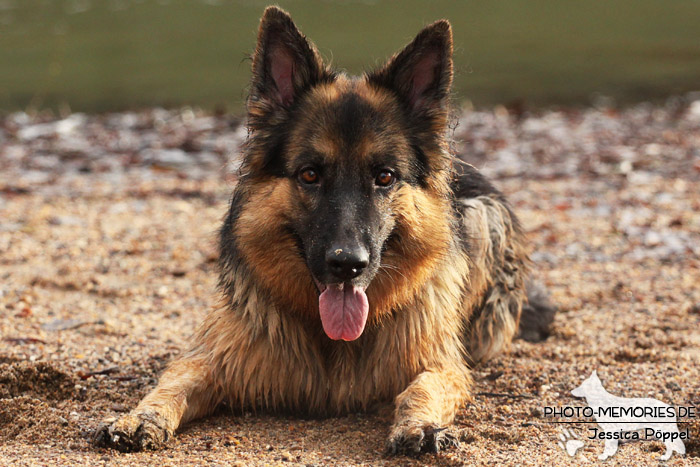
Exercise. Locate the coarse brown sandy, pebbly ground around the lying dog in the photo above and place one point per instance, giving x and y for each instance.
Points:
(107, 262)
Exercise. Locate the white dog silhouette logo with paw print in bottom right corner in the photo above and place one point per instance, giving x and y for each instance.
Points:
(621, 418)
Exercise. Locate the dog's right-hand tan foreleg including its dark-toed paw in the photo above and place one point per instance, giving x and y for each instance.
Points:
(426, 408)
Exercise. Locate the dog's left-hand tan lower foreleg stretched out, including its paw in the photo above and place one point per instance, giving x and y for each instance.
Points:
(184, 392)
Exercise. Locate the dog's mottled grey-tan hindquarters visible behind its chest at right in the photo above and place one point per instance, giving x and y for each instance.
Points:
(496, 245)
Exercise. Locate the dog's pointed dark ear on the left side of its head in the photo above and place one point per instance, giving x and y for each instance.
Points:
(285, 64)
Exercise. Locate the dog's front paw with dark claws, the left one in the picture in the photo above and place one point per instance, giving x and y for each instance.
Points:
(133, 432)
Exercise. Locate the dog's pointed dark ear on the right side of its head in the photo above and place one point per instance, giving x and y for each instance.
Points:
(421, 74)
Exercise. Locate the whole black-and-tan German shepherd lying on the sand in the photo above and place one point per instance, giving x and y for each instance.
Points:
(360, 262)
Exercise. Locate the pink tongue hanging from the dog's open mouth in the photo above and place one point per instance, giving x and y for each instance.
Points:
(344, 311)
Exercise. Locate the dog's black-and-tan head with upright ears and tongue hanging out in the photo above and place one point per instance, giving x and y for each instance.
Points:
(347, 177)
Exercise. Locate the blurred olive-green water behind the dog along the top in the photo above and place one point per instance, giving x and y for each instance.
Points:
(99, 55)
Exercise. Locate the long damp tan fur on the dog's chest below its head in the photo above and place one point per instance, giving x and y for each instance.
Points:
(289, 363)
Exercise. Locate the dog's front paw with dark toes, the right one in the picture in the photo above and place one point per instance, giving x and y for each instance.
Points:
(415, 437)
